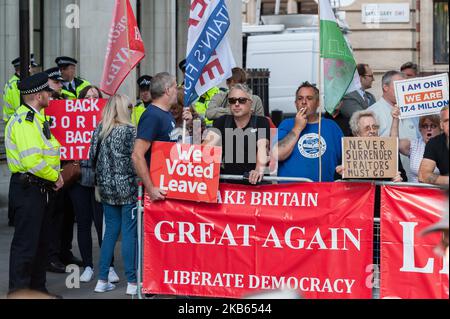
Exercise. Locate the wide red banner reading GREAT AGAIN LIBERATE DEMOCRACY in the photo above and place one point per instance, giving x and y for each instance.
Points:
(313, 238)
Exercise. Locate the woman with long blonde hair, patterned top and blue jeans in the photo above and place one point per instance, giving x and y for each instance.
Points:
(111, 148)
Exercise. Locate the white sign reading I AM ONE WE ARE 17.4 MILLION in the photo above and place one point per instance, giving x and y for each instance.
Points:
(422, 96)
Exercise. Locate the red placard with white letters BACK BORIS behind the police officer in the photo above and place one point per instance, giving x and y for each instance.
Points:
(73, 122)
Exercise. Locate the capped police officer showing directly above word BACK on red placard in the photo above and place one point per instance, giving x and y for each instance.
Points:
(72, 84)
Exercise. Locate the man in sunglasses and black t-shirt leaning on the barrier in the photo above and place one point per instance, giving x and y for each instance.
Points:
(251, 132)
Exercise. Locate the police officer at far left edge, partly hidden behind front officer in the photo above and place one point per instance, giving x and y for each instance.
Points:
(11, 94)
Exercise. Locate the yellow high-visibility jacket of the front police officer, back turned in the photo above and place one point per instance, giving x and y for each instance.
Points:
(27, 148)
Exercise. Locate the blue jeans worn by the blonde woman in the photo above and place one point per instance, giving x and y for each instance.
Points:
(119, 218)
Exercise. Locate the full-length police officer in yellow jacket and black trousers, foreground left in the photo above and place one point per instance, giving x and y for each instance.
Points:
(33, 156)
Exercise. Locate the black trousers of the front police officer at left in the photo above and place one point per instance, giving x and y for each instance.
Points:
(29, 248)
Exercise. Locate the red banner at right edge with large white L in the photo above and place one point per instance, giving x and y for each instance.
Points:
(409, 266)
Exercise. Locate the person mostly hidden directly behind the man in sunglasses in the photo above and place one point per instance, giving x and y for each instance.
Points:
(219, 103)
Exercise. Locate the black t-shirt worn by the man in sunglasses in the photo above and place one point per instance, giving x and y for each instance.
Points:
(237, 157)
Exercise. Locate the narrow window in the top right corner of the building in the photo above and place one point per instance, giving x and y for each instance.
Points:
(440, 32)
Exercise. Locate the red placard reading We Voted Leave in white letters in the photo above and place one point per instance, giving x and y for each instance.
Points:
(188, 172)
